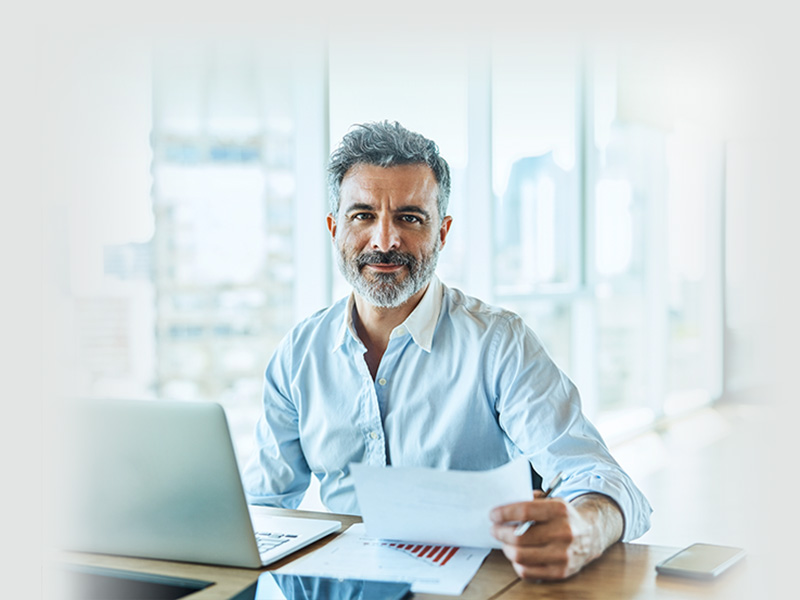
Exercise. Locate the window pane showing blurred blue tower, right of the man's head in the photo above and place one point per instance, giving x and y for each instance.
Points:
(535, 182)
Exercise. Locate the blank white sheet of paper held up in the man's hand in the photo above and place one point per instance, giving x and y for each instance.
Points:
(437, 506)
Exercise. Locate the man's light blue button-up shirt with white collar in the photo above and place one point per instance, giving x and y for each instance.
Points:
(462, 385)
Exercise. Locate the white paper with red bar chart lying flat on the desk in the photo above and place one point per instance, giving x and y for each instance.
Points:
(429, 569)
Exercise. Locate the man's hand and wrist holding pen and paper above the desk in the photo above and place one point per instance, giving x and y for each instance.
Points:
(565, 536)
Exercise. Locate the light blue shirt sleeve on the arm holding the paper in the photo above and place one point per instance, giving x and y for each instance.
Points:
(539, 408)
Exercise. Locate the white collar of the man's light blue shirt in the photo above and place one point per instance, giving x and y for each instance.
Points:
(420, 324)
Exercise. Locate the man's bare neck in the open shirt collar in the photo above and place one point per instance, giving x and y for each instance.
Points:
(375, 324)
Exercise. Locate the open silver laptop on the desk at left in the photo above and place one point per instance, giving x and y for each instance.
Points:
(159, 479)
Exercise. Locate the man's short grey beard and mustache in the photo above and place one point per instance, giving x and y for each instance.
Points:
(387, 290)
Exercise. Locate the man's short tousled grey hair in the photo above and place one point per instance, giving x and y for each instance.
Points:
(386, 144)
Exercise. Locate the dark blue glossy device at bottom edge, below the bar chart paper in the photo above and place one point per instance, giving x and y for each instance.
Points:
(285, 586)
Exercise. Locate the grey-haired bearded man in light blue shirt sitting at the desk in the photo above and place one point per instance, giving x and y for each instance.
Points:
(407, 371)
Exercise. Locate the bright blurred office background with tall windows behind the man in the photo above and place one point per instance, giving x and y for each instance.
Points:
(600, 189)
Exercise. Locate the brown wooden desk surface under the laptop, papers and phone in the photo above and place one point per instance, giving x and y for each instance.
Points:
(624, 571)
